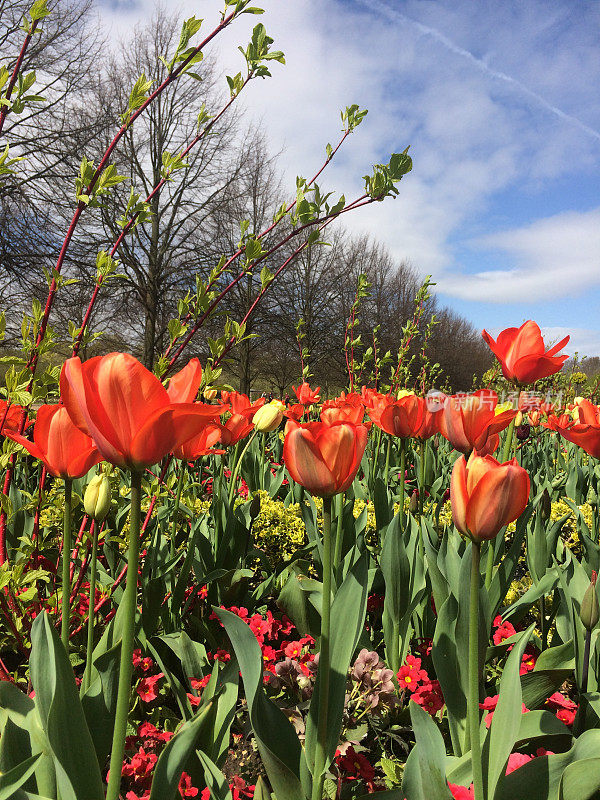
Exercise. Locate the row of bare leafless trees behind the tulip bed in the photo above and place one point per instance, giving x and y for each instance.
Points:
(194, 219)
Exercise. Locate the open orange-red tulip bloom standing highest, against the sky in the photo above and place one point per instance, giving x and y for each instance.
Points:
(521, 351)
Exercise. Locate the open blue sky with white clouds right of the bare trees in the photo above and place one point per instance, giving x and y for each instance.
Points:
(500, 104)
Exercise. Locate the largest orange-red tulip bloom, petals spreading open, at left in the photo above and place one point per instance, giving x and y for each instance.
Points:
(127, 411)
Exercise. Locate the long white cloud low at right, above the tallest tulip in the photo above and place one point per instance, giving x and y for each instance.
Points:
(554, 257)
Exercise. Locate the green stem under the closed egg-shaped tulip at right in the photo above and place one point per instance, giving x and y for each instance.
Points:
(473, 702)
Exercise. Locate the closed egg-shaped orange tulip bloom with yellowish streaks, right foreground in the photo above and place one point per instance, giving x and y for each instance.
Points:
(486, 495)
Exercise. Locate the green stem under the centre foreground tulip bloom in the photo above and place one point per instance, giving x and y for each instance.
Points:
(324, 659)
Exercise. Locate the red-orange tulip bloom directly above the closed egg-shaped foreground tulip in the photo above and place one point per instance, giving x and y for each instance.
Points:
(468, 420)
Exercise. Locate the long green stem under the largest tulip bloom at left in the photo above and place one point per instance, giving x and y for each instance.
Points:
(128, 630)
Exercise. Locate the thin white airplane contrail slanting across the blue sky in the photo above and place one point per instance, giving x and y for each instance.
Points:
(426, 30)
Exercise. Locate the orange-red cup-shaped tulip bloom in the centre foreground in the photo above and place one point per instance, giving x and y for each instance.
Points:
(324, 458)
